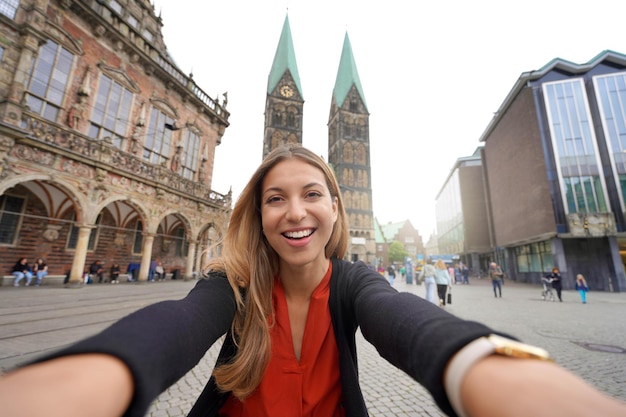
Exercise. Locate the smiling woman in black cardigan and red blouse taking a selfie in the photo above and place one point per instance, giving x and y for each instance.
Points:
(288, 306)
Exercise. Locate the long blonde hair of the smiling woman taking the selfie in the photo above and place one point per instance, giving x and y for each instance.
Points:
(251, 265)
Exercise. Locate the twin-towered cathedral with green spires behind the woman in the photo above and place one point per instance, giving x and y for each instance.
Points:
(348, 134)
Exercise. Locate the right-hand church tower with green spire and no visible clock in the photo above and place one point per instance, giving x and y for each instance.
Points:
(349, 155)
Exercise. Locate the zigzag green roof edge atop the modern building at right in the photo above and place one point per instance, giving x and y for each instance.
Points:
(555, 64)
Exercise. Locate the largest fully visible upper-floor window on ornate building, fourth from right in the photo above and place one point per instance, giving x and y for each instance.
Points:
(48, 80)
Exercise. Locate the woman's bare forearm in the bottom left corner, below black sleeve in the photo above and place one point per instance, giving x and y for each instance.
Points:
(95, 385)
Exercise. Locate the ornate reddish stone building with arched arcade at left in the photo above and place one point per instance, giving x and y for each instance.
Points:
(106, 147)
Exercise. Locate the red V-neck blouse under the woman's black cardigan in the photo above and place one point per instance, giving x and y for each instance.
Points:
(308, 388)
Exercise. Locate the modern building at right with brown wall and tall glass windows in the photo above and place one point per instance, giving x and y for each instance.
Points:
(555, 173)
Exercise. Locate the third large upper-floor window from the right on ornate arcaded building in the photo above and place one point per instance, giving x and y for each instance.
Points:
(111, 111)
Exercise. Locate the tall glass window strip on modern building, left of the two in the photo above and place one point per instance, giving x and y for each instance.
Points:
(575, 147)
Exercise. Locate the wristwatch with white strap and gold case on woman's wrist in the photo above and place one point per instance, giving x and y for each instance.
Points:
(477, 350)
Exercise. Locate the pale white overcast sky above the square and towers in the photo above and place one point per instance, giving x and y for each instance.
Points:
(433, 73)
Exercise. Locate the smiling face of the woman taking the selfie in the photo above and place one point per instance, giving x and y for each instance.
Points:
(297, 213)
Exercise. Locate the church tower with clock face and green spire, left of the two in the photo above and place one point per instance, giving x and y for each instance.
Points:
(284, 102)
